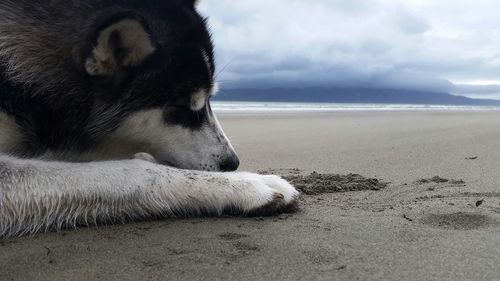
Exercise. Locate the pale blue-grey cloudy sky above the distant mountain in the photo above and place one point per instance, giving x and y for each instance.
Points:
(451, 46)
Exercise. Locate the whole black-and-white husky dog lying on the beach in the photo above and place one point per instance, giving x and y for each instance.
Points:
(105, 117)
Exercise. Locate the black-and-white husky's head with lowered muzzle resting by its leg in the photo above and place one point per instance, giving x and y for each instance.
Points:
(152, 72)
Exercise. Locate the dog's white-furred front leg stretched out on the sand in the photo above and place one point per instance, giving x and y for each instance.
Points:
(40, 196)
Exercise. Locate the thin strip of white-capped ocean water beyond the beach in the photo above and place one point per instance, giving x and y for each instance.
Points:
(284, 107)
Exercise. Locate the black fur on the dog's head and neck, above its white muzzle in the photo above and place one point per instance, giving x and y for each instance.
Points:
(97, 63)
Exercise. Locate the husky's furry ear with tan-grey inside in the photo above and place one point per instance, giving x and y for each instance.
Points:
(119, 43)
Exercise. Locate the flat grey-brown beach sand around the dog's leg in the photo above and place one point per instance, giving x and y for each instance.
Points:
(437, 219)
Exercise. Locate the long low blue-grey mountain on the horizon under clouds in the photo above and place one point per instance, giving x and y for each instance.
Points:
(348, 95)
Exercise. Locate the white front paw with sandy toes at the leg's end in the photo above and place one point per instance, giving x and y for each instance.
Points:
(268, 195)
